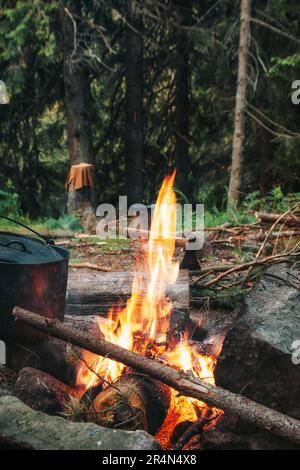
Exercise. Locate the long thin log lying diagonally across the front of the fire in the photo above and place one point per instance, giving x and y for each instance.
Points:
(268, 419)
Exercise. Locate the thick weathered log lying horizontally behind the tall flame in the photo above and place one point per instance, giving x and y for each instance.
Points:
(91, 292)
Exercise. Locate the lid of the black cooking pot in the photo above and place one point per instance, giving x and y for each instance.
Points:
(19, 249)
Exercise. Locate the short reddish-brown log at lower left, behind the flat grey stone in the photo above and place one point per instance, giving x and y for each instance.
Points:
(42, 391)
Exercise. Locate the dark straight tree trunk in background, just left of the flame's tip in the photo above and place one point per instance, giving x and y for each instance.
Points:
(134, 120)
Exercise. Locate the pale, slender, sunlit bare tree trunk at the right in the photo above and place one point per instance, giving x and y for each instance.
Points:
(240, 108)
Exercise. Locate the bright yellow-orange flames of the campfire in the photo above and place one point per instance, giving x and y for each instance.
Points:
(142, 326)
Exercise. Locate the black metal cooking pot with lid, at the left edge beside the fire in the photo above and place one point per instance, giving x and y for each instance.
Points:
(33, 275)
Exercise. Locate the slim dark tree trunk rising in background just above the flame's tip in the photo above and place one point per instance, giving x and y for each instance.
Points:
(182, 102)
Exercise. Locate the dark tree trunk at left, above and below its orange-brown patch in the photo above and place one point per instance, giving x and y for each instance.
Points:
(77, 99)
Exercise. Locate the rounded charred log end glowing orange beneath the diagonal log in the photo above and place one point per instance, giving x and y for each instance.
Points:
(134, 401)
